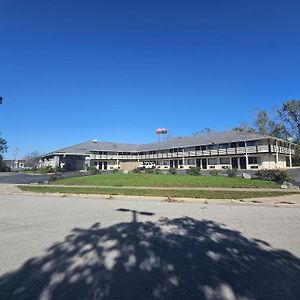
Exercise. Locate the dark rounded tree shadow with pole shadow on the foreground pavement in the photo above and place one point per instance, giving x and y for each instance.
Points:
(180, 258)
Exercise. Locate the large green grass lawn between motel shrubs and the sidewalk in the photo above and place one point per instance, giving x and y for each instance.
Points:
(165, 180)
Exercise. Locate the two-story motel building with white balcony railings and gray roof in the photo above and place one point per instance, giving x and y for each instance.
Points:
(224, 150)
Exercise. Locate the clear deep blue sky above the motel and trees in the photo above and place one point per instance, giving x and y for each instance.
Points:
(72, 71)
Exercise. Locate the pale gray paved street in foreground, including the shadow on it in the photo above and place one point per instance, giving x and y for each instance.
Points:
(58, 247)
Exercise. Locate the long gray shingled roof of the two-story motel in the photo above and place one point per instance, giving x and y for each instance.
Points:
(215, 137)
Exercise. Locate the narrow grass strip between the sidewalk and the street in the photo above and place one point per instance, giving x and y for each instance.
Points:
(207, 194)
